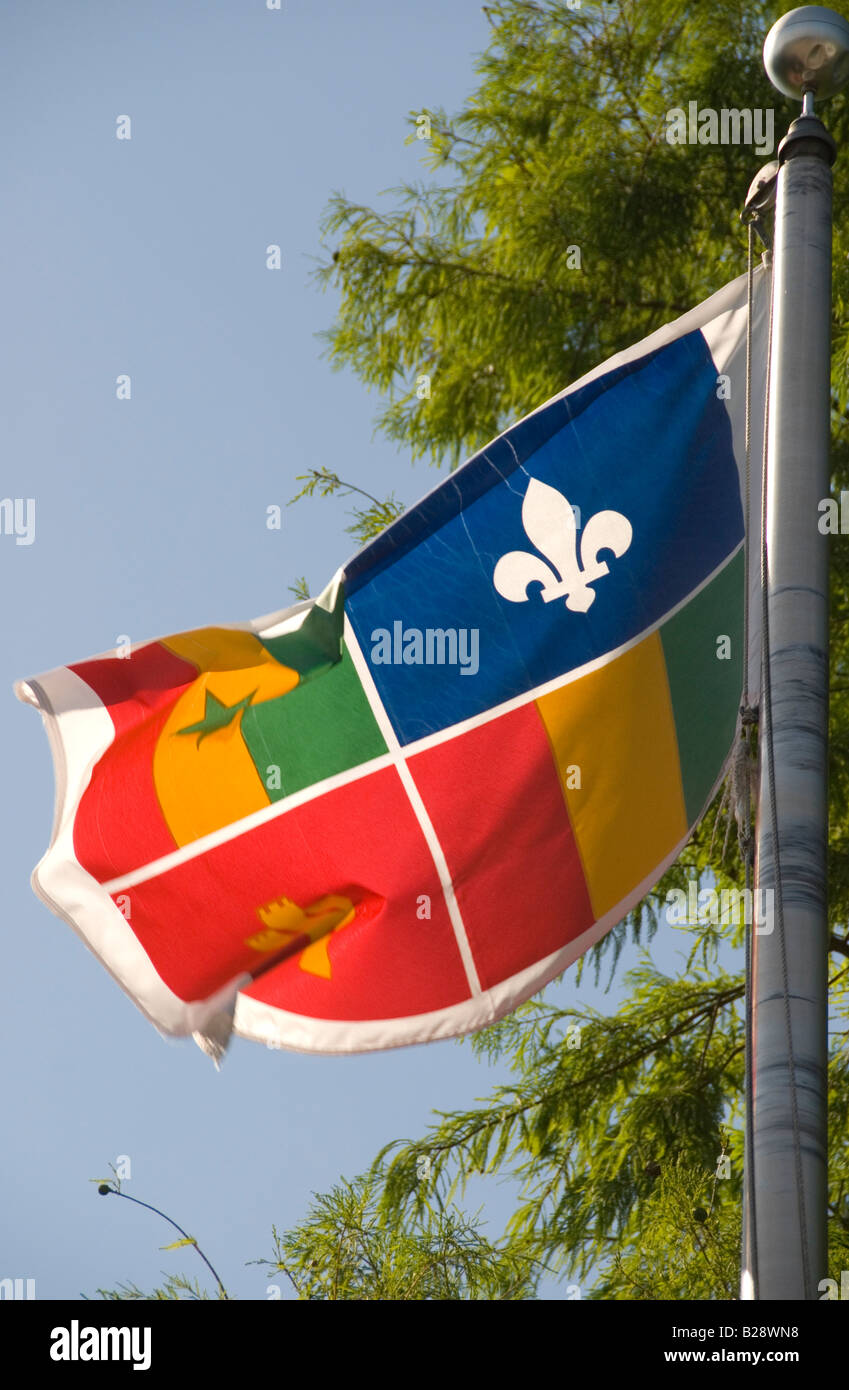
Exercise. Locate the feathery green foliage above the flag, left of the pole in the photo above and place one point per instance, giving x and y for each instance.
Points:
(472, 276)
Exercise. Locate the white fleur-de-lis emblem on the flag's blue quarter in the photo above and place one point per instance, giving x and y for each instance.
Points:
(550, 525)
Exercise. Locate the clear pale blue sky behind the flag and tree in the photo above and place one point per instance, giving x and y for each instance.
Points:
(148, 258)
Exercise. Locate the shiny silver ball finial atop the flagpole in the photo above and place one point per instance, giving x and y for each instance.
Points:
(808, 52)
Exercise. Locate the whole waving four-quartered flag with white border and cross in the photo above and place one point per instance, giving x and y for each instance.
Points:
(395, 812)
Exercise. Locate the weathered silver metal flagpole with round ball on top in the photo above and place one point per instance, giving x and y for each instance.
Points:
(786, 1231)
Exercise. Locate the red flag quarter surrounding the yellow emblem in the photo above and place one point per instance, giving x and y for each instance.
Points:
(362, 842)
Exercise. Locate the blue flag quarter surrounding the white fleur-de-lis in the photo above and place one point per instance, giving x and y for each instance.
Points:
(651, 441)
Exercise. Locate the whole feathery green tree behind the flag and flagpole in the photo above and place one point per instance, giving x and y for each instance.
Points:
(558, 227)
